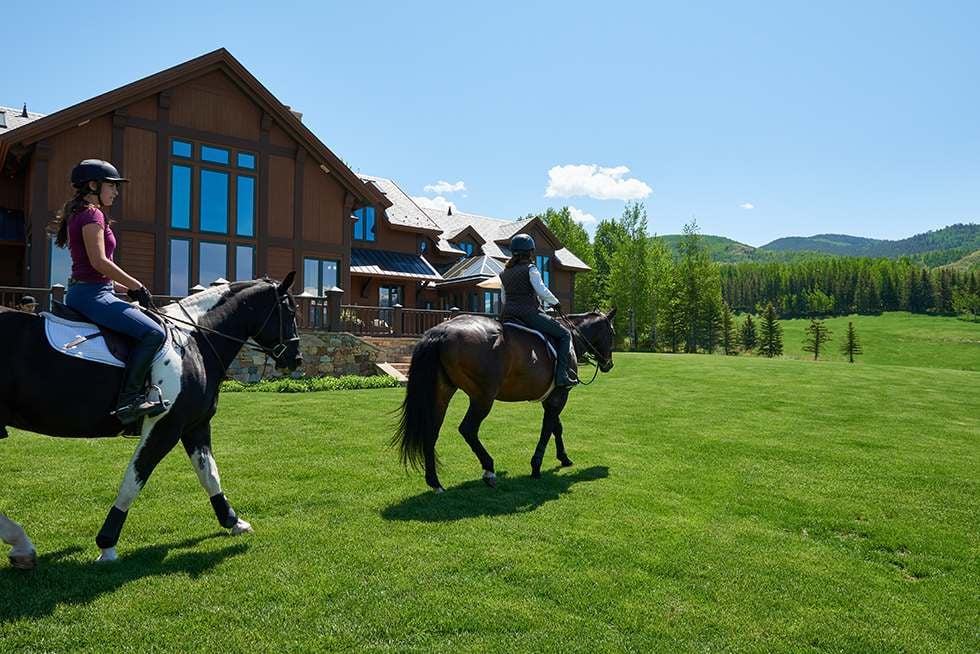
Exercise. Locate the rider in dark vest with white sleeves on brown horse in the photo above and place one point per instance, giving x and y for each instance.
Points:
(521, 290)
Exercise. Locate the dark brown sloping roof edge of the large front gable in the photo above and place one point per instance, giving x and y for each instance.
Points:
(222, 60)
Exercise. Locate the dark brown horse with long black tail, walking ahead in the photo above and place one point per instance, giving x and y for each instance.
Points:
(488, 362)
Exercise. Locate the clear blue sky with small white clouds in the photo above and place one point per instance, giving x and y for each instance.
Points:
(859, 118)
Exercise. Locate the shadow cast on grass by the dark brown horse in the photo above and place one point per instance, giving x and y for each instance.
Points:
(474, 498)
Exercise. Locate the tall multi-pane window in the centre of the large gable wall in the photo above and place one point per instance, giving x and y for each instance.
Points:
(212, 191)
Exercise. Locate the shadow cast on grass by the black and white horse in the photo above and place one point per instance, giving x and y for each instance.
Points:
(61, 578)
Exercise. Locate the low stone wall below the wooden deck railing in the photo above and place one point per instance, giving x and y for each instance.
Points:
(325, 354)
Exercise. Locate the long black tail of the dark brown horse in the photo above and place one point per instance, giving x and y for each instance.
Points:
(417, 422)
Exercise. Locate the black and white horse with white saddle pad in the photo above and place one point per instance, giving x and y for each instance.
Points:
(47, 392)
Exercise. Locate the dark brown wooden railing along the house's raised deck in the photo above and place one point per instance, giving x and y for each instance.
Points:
(324, 313)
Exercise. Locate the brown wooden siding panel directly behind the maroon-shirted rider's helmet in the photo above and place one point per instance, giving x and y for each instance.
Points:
(93, 140)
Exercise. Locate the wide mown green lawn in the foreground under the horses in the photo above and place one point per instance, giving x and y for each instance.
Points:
(716, 504)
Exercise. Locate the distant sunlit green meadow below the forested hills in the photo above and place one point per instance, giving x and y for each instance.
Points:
(897, 338)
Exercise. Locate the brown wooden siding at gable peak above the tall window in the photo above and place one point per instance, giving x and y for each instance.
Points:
(213, 103)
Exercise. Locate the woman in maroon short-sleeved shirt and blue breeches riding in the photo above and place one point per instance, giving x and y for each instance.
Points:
(95, 277)
